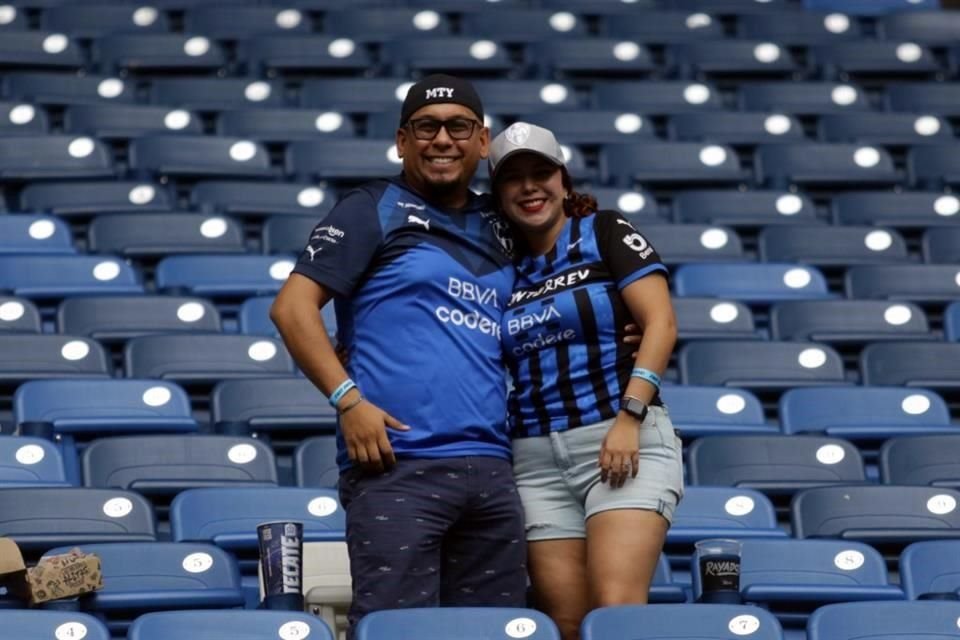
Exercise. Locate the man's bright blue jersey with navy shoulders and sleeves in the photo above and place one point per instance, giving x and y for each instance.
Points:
(420, 293)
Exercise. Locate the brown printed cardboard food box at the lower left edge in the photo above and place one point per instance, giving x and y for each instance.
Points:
(62, 576)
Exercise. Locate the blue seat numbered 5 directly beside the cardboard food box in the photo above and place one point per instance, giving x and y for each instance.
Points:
(139, 577)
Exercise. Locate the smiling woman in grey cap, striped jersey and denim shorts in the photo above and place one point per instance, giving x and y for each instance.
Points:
(597, 461)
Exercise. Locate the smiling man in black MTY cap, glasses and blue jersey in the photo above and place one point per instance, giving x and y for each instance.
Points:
(421, 272)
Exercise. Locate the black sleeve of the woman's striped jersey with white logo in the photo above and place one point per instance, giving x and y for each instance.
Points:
(624, 250)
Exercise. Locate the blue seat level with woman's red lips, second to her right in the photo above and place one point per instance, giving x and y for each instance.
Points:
(743, 208)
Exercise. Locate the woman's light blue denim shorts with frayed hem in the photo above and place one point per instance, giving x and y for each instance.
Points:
(559, 480)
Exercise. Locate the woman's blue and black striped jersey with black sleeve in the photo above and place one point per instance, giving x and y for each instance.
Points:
(564, 326)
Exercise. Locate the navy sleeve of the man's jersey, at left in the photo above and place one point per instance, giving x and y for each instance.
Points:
(342, 245)
